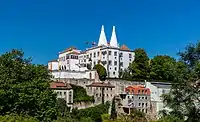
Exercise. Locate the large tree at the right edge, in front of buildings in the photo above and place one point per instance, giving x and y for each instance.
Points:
(184, 96)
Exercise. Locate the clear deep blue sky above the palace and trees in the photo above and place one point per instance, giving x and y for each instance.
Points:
(42, 28)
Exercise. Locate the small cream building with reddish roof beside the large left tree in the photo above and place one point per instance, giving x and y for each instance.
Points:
(64, 91)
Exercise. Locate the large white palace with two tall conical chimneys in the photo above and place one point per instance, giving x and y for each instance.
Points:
(113, 57)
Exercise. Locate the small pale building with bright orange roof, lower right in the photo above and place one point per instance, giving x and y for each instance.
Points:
(136, 97)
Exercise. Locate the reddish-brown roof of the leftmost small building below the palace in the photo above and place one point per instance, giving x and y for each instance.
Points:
(60, 85)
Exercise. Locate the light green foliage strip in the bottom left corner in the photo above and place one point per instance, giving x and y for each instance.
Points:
(17, 118)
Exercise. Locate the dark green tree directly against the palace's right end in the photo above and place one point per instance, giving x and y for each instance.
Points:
(140, 66)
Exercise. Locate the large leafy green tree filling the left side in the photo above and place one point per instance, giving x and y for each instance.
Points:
(25, 88)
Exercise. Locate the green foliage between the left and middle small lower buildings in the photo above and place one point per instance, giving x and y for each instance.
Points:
(80, 94)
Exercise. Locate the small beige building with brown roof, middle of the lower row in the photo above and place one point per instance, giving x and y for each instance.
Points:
(95, 89)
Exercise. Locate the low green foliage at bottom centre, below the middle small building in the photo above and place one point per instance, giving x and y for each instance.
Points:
(93, 112)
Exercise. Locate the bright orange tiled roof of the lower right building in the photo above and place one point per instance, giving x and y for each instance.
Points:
(137, 89)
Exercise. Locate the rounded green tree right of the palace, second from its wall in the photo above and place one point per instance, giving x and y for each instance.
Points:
(162, 68)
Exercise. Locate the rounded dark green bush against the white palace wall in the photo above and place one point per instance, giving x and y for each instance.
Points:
(101, 72)
